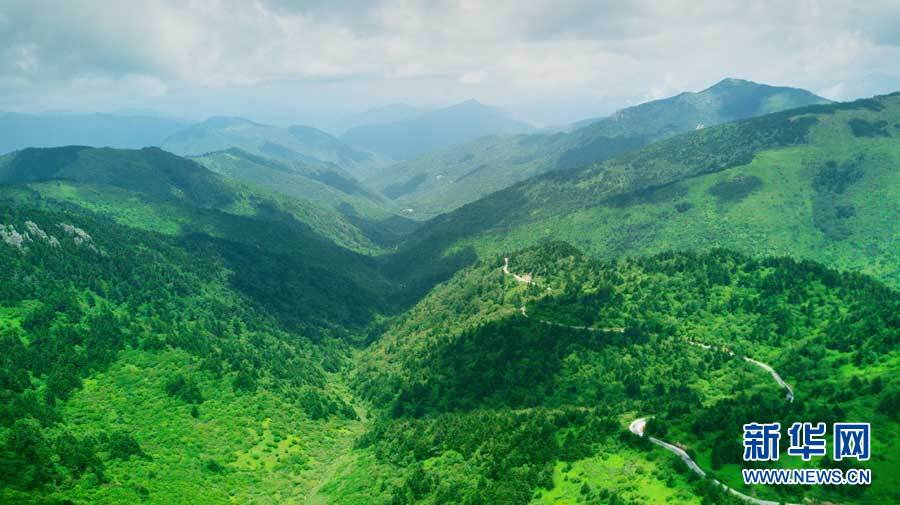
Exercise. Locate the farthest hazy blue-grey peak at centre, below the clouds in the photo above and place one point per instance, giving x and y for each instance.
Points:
(433, 130)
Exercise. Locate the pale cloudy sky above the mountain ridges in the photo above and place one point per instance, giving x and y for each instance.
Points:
(548, 61)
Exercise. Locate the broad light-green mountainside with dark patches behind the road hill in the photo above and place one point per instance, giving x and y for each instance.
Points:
(813, 183)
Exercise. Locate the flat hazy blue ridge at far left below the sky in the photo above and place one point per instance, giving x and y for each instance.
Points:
(18, 131)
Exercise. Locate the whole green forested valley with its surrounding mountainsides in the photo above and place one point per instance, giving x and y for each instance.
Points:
(224, 321)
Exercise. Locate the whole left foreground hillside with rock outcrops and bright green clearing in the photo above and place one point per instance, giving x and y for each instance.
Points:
(138, 367)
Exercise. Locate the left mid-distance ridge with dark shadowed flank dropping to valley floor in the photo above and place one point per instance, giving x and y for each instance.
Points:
(261, 238)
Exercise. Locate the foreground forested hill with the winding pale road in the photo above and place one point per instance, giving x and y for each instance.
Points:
(484, 352)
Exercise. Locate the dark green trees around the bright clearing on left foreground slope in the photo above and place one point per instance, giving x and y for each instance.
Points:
(78, 290)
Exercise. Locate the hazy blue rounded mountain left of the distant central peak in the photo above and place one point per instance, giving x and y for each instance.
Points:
(294, 143)
